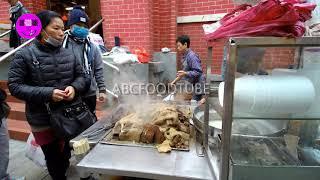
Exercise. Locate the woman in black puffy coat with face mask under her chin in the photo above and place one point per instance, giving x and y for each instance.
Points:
(56, 76)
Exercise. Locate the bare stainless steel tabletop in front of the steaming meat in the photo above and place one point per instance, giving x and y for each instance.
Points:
(145, 163)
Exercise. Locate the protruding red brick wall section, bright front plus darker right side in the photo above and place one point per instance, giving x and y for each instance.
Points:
(148, 24)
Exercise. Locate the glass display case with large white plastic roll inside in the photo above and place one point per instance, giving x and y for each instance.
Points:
(270, 108)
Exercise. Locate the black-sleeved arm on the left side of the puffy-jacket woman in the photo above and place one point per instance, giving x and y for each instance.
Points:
(17, 82)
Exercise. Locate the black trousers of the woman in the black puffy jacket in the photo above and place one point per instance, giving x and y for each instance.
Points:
(57, 159)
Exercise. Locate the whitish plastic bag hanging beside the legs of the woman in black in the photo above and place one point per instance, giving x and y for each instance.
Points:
(34, 152)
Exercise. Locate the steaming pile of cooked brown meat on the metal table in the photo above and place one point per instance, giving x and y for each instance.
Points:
(165, 125)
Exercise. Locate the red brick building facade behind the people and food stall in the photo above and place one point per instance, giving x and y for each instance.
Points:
(154, 24)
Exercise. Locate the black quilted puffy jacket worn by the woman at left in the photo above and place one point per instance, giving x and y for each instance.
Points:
(58, 68)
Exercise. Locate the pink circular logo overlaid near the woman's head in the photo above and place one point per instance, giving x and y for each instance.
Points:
(28, 26)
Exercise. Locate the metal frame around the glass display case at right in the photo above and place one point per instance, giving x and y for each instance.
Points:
(222, 170)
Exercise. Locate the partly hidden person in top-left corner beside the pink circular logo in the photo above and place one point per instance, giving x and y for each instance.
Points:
(16, 10)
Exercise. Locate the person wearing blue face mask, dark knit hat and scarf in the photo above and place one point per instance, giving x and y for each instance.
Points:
(76, 39)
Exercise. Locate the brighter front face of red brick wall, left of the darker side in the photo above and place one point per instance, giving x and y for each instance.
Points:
(130, 20)
